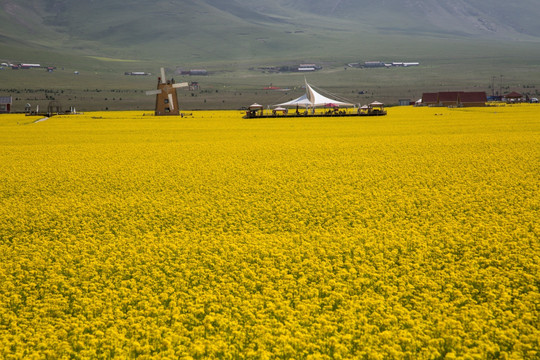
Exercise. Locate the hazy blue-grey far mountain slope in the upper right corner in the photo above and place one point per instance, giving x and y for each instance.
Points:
(496, 17)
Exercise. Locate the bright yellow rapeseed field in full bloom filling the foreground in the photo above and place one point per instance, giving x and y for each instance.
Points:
(410, 236)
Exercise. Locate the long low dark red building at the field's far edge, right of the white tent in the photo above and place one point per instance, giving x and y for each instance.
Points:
(455, 99)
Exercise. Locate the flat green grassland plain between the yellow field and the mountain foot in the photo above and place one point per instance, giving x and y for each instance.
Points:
(231, 85)
